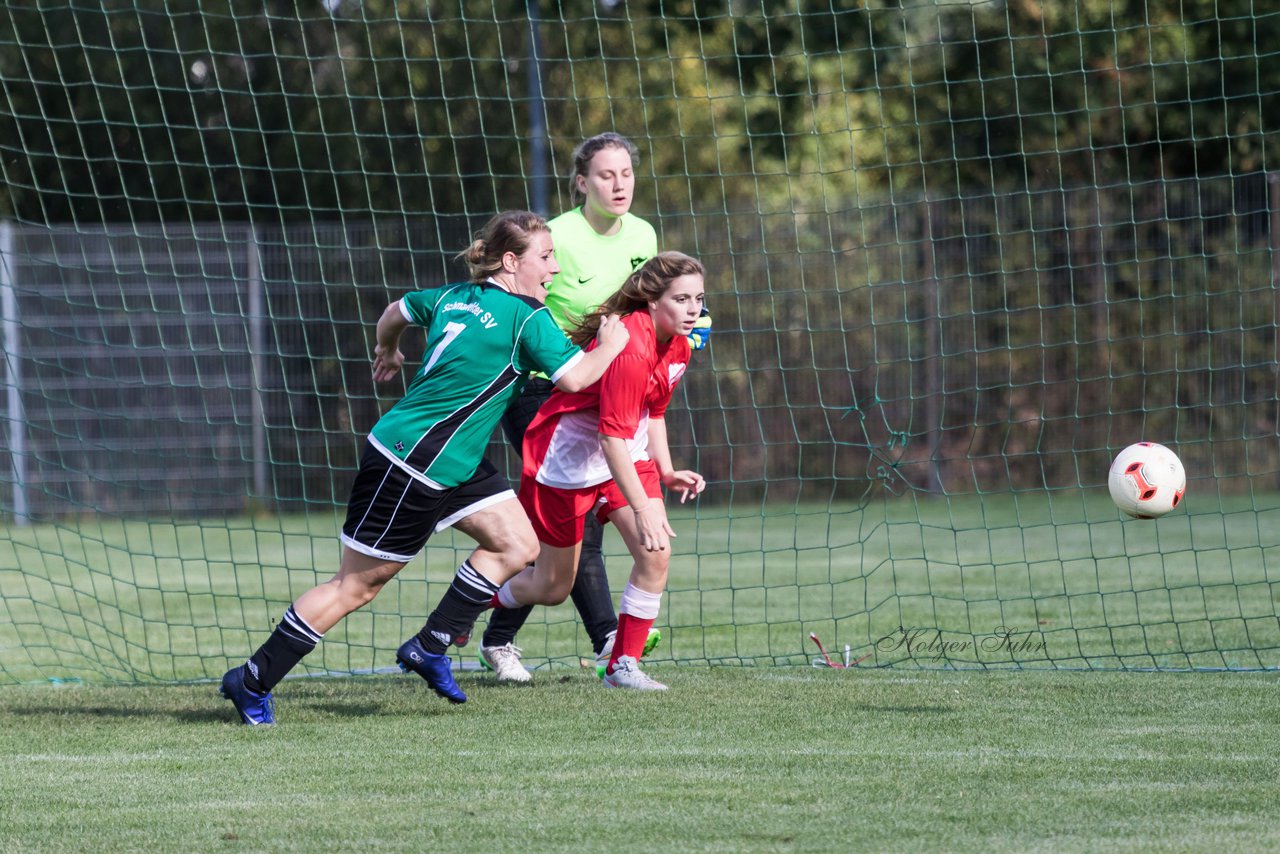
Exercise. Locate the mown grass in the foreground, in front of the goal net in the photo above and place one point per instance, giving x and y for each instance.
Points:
(732, 759)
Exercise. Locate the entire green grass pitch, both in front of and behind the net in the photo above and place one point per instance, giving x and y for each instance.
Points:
(115, 739)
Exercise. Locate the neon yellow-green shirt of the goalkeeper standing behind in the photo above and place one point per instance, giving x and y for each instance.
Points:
(592, 266)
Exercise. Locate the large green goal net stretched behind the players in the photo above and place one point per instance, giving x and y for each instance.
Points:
(959, 257)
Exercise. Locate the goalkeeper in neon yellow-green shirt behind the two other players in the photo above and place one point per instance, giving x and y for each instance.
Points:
(598, 245)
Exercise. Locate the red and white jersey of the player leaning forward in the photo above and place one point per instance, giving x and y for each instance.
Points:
(563, 444)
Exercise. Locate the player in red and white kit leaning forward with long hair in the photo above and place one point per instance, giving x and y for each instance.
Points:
(605, 450)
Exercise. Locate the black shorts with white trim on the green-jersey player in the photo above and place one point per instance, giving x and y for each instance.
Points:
(391, 515)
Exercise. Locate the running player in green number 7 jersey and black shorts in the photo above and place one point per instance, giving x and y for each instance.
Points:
(424, 471)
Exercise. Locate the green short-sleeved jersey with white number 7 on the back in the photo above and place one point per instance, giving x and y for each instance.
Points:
(482, 345)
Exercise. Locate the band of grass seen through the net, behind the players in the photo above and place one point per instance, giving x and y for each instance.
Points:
(1059, 574)
